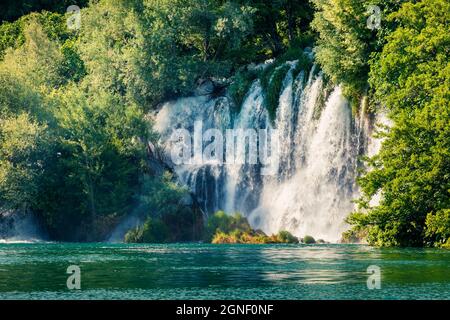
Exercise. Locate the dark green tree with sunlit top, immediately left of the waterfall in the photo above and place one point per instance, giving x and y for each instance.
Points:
(100, 151)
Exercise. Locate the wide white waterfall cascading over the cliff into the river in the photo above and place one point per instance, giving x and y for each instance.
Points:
(320, 144)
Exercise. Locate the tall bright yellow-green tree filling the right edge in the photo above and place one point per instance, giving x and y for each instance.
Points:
(412, 171)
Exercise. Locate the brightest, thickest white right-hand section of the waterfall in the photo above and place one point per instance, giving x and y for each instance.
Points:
(317, 197)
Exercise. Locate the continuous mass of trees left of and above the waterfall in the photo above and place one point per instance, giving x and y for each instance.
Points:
(73, 130)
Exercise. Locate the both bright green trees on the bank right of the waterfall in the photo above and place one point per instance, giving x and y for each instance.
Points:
(404, 68)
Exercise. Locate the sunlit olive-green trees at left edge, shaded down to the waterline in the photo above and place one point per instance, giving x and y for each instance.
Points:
(71, 153)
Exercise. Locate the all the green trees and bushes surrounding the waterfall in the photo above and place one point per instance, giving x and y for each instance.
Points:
(73, 130)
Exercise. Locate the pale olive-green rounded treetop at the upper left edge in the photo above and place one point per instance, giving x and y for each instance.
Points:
(47, 59)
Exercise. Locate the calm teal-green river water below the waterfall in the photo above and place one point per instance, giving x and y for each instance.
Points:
(204, 271)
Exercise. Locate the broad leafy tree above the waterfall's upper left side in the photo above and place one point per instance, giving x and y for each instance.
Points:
(150, 50)
